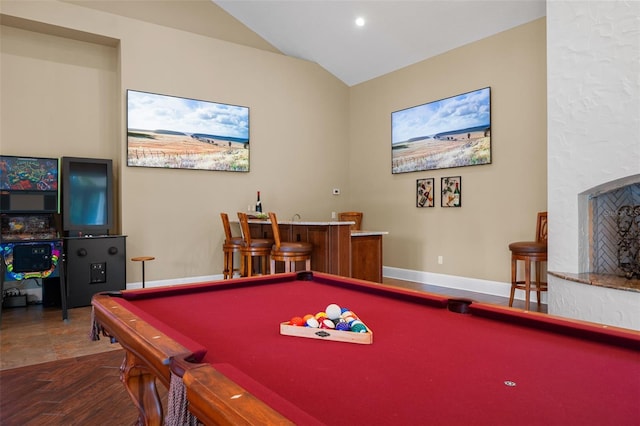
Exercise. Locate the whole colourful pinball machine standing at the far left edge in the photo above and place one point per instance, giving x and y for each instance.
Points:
(31, 246)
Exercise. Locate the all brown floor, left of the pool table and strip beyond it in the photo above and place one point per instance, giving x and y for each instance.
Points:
(52, 373)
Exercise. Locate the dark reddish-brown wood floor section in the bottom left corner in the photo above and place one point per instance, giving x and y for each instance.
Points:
(82, 390)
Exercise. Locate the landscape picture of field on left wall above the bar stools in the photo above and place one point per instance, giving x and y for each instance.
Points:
(179, 133)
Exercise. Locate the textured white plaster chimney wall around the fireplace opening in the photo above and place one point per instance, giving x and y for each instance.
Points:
(593, 90)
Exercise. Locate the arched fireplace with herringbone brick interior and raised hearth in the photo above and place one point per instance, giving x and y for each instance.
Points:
(600, 269)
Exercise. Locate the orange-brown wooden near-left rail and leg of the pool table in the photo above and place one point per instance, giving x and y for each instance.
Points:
(151, 354)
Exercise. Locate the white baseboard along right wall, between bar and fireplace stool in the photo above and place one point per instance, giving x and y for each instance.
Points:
(493, 288)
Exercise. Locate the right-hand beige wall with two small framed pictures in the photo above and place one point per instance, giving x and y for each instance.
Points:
(499, 201)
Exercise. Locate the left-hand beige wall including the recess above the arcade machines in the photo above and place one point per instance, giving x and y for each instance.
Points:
(76, 90)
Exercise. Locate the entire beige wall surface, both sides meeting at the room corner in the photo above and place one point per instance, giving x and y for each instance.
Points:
(309, 133)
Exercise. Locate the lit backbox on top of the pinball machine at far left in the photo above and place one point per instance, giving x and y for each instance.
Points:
(28, 184)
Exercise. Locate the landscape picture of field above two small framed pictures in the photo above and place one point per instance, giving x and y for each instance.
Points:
(451, 132)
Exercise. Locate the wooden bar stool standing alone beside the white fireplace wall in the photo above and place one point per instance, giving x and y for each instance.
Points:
(530, 251)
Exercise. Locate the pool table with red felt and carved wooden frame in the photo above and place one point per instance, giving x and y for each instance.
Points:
(217, 347)
